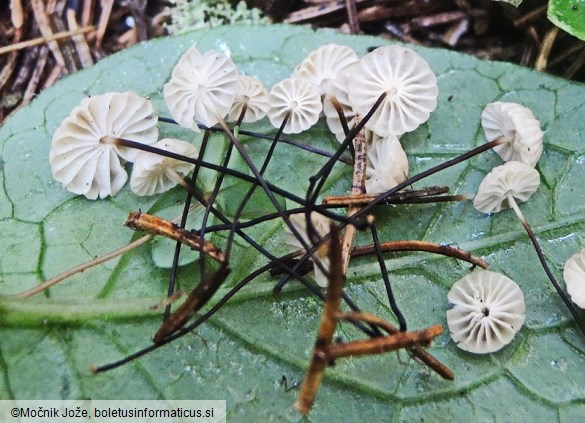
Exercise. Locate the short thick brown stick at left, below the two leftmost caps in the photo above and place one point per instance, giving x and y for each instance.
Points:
(158, 226)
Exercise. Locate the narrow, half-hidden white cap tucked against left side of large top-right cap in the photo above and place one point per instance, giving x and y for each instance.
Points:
(339, 91)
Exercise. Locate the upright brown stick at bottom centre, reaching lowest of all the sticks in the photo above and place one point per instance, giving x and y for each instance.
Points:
(319, 362)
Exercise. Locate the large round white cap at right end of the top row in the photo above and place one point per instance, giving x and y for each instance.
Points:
(408, 81)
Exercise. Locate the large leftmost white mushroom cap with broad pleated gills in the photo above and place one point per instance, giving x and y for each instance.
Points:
(78, 157)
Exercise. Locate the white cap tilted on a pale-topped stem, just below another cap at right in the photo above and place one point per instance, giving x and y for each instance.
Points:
(514, 179)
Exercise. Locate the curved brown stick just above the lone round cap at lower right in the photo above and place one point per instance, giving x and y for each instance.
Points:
(429, 247)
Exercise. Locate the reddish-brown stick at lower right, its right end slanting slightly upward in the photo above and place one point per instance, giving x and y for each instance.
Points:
(383, 344)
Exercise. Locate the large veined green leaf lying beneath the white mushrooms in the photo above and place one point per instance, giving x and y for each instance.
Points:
(241, 355)
